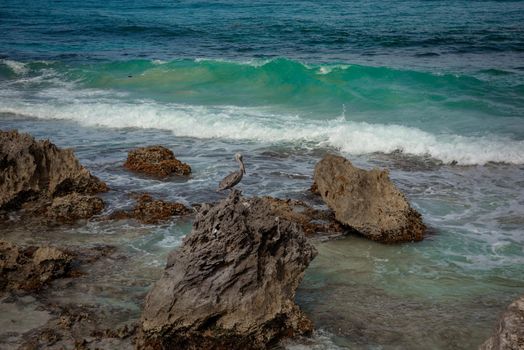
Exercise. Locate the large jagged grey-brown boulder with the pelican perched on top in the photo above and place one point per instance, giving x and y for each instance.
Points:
(231, 285)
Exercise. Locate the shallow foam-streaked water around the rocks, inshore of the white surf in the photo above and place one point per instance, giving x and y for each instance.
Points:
(444, 292)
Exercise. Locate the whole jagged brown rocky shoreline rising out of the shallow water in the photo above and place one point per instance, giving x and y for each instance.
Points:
(232, 283)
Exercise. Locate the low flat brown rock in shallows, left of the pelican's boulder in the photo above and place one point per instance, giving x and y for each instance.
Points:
(151, 211)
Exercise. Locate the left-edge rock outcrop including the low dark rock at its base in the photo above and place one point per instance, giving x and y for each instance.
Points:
(47, 182)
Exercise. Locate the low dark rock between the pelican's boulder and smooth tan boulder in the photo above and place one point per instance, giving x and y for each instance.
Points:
(313, 221)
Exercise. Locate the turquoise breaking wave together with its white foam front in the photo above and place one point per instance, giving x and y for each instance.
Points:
(357, 109)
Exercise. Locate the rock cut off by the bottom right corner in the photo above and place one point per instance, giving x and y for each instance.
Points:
(510, 331)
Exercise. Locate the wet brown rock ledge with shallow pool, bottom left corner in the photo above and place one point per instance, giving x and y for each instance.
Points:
(37, 314)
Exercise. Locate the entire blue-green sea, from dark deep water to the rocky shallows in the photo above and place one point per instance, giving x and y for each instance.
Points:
(431, 90)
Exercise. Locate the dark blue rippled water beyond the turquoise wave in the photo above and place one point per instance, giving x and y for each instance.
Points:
(431, 33)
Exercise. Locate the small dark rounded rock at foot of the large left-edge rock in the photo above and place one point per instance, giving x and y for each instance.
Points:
(73, 207)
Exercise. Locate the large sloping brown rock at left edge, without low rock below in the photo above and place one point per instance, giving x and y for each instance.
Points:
(33, 170)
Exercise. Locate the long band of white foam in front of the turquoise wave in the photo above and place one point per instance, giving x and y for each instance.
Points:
(256, 124)
